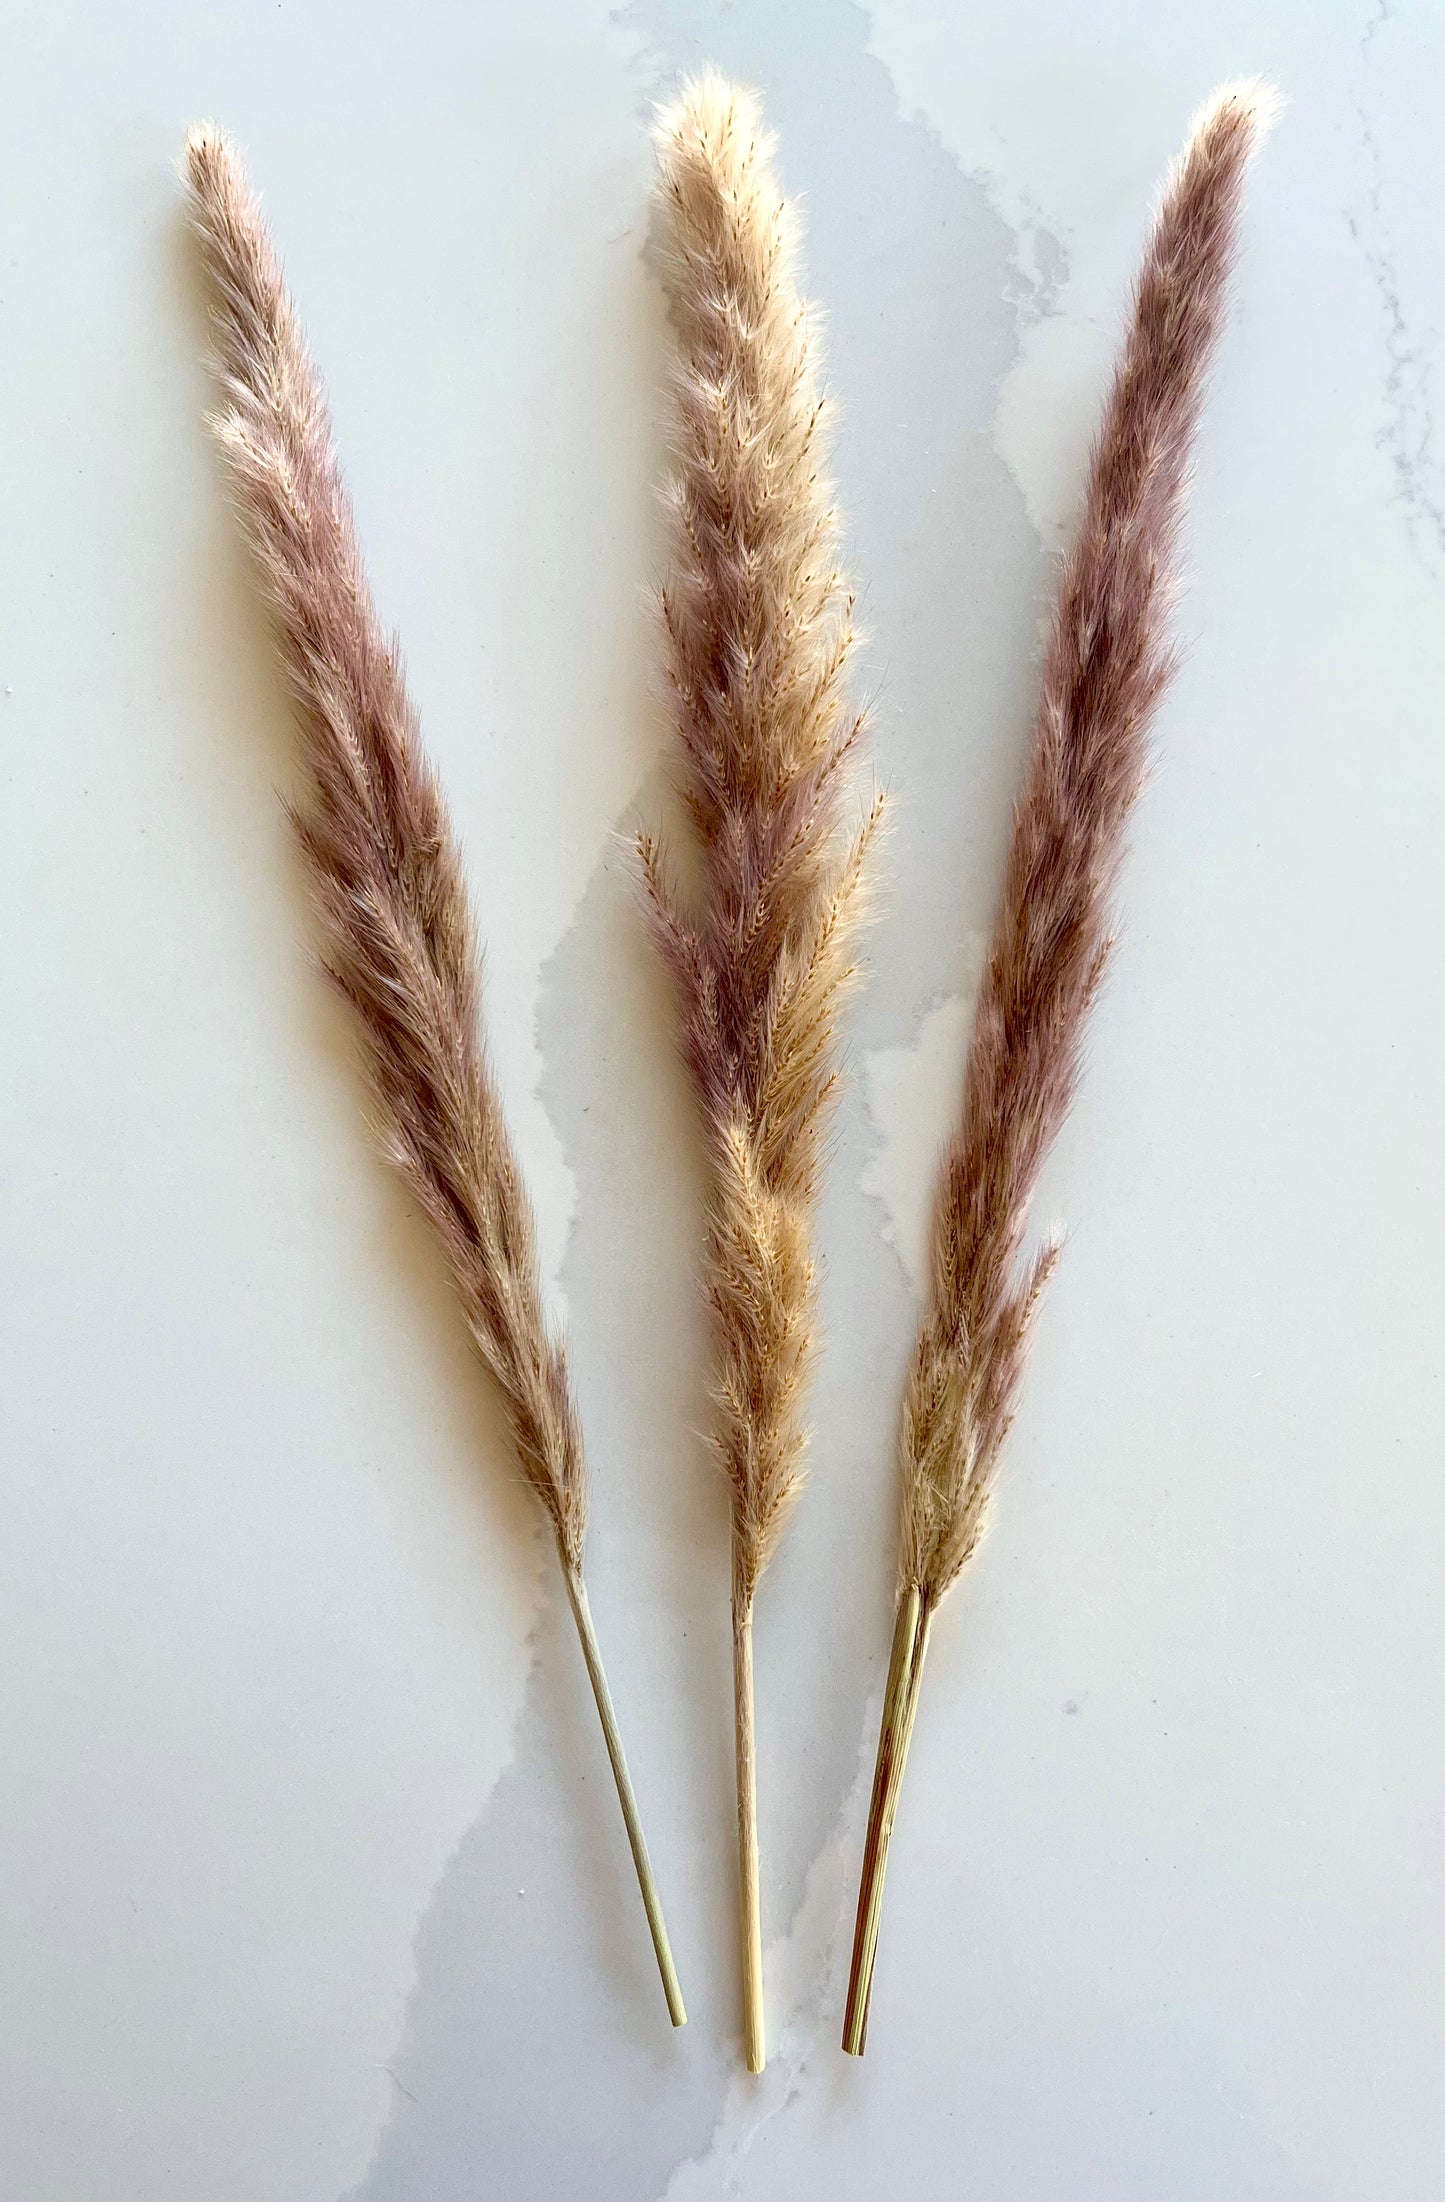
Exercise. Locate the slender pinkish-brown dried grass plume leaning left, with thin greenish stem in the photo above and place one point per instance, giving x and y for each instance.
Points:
(389, 884)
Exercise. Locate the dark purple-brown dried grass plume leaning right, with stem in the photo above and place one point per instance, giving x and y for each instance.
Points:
(1109, 662)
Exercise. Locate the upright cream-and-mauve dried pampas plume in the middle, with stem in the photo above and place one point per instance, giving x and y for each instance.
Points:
(759, 637)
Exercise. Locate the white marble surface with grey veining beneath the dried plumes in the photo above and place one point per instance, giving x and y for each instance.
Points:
(309, 1873)
